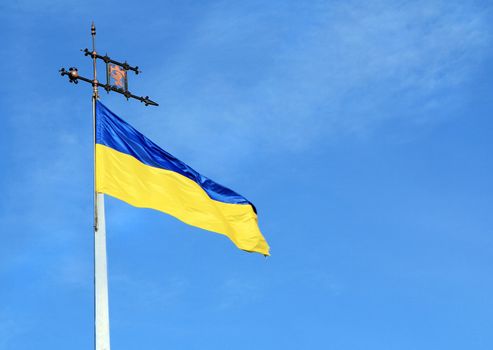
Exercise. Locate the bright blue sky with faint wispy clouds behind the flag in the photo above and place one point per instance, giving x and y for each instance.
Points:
(361, 130)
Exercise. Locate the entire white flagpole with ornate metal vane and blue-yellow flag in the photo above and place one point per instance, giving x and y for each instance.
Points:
(130, 167)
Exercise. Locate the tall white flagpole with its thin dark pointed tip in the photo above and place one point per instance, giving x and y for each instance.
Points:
(101, 307)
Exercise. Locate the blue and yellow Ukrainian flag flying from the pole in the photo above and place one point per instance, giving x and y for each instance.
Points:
(134, 169)
